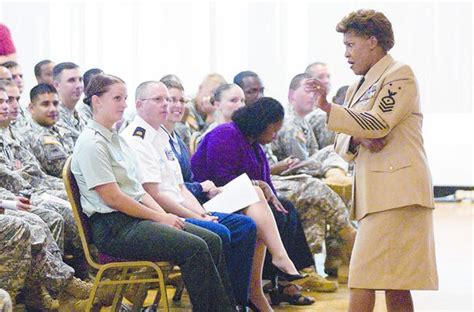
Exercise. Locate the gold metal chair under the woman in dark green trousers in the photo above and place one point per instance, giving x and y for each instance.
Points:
(106, 262)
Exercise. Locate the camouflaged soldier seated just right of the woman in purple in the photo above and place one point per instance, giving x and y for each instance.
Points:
(296, 139)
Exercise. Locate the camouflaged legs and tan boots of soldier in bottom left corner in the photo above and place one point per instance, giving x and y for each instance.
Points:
(31, 262)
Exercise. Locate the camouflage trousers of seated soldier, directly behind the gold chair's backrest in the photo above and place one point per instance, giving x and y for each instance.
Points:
(72, 241)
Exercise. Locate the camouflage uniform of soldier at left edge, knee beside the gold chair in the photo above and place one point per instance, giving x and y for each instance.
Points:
(21, 174)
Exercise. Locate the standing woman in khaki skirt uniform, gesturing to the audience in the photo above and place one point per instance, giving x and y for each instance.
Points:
(380, 130)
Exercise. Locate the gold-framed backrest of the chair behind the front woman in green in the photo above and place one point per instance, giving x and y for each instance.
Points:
(82, 221)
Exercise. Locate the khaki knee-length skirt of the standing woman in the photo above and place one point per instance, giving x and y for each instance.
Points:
(395, 249)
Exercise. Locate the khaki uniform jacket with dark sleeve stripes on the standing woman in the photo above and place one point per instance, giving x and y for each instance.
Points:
(386, 105)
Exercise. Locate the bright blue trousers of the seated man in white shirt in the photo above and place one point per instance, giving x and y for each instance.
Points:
(238, 236)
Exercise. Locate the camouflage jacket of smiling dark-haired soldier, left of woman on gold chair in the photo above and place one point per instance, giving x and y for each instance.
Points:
(51, 146)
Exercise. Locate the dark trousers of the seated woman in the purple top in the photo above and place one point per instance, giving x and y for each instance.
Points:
(294, 240)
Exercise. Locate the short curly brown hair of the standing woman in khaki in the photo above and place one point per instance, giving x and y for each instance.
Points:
(369, 23)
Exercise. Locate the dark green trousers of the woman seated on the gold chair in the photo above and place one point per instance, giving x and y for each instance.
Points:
(196, 251)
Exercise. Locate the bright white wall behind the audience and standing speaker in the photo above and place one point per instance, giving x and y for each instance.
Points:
(141, 40)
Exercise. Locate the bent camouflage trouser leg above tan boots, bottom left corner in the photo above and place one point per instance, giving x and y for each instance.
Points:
(46, 268)
